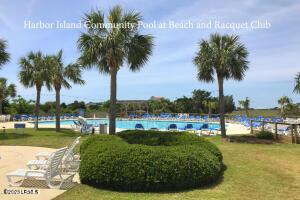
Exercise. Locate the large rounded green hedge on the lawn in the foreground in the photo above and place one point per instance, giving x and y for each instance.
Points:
(149, 161)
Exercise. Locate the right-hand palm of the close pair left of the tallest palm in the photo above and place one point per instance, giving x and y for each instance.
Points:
(60, 77)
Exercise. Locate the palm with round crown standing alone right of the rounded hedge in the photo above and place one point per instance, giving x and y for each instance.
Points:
(224, 56)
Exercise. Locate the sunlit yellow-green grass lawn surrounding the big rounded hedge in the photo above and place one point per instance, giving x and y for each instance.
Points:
(254, 171)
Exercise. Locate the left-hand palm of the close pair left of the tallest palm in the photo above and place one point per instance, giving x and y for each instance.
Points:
(34, 73)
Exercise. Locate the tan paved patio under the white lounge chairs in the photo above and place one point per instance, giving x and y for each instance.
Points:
(16, 157)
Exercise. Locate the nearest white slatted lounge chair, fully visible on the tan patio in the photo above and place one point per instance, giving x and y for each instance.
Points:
(49, 174)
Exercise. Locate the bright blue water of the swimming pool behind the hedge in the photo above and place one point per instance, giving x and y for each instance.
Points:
(130, 124)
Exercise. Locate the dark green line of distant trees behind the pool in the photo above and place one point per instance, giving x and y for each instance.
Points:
(201, 102)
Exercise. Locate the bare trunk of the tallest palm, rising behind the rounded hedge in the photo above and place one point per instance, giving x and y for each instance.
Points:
(113, 100)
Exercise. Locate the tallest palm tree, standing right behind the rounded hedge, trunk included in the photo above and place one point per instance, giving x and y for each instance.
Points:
(108, 48)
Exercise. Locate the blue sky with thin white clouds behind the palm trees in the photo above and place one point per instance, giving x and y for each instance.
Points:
(274, 52)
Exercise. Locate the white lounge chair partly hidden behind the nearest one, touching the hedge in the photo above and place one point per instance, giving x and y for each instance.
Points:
(70, 161)
